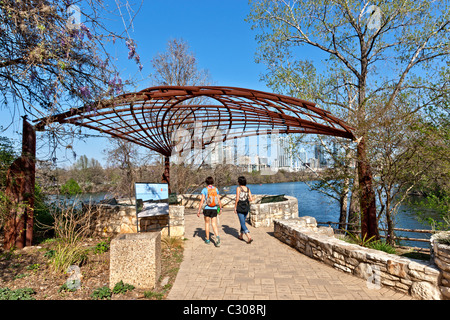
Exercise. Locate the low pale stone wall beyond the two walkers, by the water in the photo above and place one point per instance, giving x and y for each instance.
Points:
(261, 214)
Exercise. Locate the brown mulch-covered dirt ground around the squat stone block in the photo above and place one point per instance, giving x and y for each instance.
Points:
(29, 268)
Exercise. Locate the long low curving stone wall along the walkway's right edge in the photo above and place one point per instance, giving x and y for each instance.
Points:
(417, 278)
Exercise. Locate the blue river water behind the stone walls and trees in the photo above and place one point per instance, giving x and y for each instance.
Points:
(323, 208)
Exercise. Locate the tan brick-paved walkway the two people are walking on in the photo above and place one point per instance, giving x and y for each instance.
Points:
(265, 269)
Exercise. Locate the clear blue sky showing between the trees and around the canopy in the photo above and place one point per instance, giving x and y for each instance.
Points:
(216, 32)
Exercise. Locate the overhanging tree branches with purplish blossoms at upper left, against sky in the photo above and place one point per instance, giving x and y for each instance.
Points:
(55, 55)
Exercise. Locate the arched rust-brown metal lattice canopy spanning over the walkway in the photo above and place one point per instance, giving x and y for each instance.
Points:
(151, 117)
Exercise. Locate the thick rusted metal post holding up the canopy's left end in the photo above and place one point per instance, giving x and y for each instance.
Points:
(20, 193)
